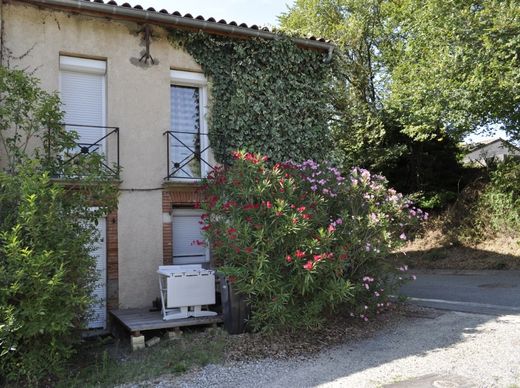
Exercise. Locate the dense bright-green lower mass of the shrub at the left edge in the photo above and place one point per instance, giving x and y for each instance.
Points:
(46, 273)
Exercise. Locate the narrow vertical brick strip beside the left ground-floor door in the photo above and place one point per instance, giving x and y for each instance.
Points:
(112, 262)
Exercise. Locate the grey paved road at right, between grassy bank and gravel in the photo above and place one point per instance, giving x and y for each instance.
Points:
(481, 292)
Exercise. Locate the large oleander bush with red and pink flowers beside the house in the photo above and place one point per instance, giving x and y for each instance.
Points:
(299, 240)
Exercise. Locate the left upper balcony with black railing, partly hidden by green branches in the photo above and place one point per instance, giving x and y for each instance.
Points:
(93, 140)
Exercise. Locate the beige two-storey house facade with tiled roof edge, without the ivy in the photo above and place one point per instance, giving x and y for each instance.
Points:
(140, 102)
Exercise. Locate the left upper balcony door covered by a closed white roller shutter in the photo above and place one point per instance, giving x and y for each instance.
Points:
(83, 94)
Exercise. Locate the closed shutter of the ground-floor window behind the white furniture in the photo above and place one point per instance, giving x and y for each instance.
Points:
(186, 232)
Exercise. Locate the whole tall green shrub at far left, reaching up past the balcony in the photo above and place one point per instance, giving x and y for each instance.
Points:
(46, 232)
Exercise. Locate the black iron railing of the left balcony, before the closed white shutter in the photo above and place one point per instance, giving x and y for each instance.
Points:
(105, 142)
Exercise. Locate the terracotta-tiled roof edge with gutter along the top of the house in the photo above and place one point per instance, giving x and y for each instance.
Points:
(174, 19)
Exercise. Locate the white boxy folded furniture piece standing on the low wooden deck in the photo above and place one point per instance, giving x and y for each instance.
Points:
(185, 289)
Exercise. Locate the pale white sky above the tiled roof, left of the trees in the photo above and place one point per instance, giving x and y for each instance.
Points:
(259, 12)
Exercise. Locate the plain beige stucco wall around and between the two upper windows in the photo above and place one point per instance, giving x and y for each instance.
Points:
(138, 102)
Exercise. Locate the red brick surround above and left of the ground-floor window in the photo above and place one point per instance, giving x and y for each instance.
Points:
(171, 197)
